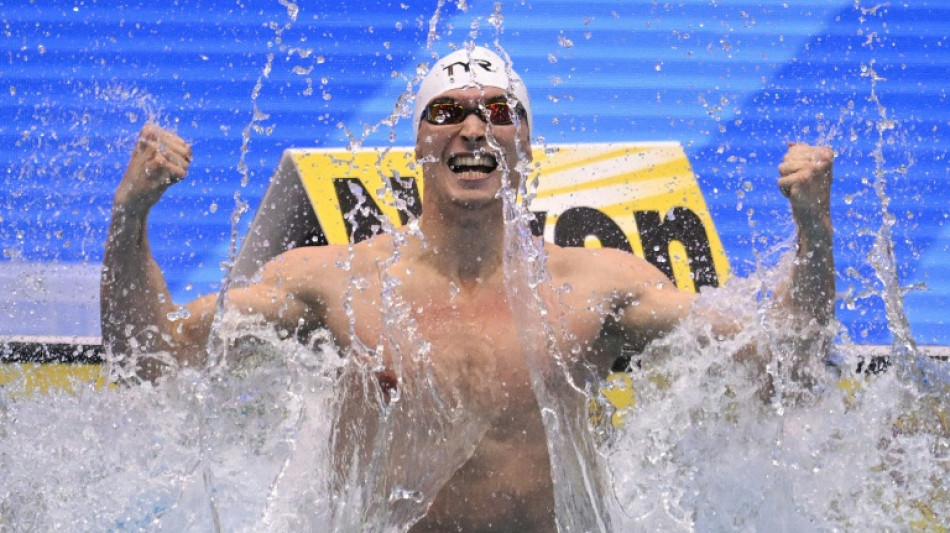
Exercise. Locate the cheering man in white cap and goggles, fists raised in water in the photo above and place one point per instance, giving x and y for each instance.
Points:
(472, 115)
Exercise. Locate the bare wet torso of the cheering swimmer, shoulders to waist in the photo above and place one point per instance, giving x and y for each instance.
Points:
(506, 484)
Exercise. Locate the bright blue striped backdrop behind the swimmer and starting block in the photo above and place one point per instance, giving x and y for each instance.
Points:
(244, 80)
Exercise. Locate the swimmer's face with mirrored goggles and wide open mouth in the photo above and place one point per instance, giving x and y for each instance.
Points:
(467, 142)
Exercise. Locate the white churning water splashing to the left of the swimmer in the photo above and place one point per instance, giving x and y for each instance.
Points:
(198, 451)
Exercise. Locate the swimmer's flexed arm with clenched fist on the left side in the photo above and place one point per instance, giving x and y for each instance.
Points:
(137, 312)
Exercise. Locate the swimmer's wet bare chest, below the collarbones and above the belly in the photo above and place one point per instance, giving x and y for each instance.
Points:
(473, 339)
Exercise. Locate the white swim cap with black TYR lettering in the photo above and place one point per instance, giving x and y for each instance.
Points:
(463, 69)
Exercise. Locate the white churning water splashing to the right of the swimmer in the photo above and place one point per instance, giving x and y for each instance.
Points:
(717, 445)
